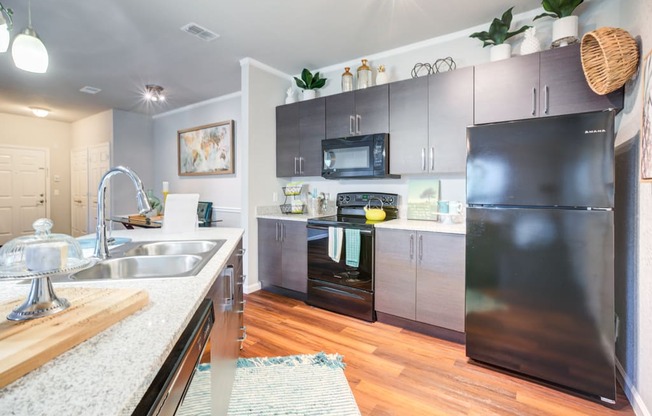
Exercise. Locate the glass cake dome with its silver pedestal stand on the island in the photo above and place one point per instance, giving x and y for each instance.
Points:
(37, 257)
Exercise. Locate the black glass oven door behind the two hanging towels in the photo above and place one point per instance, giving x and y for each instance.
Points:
(321, 267)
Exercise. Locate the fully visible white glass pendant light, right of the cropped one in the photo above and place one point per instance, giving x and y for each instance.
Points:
(28, 51)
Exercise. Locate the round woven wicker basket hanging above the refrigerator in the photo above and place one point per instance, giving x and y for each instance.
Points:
(609, 58)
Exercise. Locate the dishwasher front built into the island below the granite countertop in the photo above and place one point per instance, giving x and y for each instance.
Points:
(166, 393)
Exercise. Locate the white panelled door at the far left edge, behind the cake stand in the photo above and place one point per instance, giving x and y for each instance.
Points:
(23, 190)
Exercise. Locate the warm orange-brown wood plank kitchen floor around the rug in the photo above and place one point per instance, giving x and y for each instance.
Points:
(393, 371)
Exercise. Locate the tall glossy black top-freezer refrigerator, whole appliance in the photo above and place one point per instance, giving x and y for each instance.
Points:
(540, 250)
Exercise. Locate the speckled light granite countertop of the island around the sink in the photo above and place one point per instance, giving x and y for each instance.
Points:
(109, 373)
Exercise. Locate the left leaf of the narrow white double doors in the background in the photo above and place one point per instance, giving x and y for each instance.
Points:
(79, 191)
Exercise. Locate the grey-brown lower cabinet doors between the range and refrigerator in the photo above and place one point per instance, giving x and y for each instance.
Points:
(420, 277)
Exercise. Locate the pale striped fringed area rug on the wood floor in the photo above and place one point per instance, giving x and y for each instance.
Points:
(291, 385)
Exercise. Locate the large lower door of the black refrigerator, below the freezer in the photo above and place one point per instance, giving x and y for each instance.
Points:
(539, 294)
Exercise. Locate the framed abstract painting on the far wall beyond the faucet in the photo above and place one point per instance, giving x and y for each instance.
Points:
(206, 150)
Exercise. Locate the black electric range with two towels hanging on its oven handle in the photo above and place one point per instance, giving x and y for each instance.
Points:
(343, 281)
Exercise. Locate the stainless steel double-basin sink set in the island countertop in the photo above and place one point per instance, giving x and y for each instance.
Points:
(150, 259)
